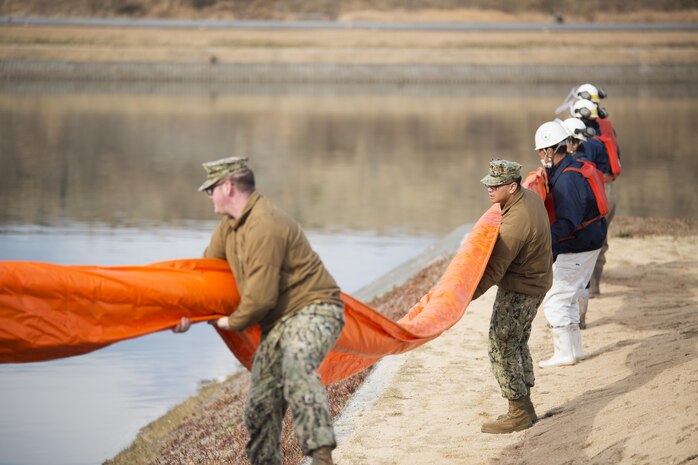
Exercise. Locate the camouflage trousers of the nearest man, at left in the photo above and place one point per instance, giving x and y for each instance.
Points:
(284, 375)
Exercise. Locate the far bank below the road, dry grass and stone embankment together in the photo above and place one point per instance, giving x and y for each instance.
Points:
(103, 53)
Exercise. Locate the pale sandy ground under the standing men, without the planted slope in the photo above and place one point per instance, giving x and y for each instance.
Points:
(633, 400)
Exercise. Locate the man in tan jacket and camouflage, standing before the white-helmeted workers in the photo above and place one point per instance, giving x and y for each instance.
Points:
(521, 266)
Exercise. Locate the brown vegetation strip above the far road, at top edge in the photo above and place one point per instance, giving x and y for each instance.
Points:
(440, 10)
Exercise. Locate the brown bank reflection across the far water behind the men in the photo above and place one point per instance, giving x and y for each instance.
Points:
(382, 163)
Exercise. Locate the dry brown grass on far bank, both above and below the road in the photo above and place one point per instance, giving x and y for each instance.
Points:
(350, 45)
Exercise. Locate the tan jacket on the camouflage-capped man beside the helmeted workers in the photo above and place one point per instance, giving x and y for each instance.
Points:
(522, 258)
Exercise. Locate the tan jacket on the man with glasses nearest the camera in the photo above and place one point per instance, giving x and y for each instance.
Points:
(276, 270)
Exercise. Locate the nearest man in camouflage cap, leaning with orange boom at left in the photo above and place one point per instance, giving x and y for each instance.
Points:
(285, 288)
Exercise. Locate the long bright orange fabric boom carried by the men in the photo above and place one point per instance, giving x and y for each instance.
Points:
(53, 311)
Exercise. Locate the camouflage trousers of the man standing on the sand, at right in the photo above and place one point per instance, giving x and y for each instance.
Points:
(510, 328)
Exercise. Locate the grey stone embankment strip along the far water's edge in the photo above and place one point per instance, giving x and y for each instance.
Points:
(14, 70)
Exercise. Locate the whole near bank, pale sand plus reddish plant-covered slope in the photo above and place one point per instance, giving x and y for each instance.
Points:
(632, 400)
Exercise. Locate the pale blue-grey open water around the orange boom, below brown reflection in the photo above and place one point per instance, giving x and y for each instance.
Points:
(83, 410)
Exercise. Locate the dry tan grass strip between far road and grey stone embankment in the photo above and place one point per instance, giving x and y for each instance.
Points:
(344, 46)
